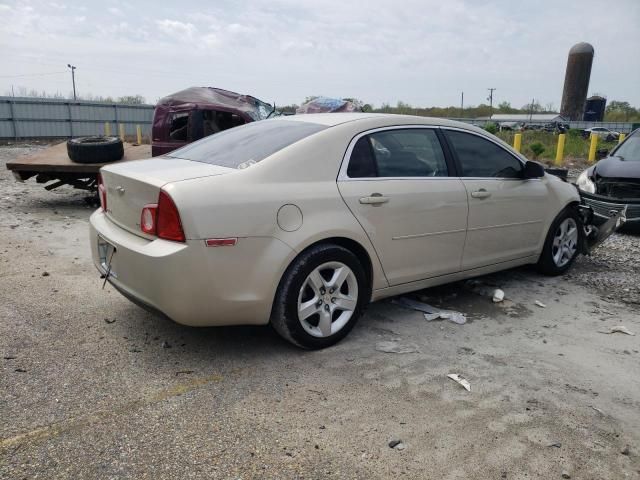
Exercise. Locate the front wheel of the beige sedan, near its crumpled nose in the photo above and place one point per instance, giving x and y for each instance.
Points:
(563, 243)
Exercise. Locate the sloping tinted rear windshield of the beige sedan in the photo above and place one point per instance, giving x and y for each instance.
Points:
(243, 146)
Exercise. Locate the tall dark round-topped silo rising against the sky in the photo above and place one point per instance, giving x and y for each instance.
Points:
(576, 81)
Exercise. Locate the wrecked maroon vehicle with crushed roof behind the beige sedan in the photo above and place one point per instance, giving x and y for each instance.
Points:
(197, 112)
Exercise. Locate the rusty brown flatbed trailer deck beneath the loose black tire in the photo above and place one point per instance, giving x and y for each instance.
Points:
(53, 167)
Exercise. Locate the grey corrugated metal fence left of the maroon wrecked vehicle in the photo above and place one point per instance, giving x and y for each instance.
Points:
(50, 118)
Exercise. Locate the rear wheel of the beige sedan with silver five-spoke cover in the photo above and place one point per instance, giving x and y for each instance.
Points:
(320, 297)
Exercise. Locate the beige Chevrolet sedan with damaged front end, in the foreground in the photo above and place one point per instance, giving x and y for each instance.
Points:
(301, 221)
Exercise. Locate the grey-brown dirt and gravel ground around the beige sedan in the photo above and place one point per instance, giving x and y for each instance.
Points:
(94, 387)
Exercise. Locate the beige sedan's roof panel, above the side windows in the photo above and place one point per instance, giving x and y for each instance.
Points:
(333, 119)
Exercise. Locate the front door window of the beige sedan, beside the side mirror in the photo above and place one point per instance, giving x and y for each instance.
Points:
(481, 158)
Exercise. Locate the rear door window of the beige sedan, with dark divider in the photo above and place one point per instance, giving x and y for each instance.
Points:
(414, 152)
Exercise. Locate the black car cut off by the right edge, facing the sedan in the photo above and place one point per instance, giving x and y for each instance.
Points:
(614, 182)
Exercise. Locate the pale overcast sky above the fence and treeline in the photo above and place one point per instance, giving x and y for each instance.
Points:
(421, 52)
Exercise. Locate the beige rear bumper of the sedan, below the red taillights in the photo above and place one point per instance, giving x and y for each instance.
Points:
(191, 283)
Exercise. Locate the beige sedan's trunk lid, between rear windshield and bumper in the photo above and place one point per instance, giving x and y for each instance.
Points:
(132, 185)
